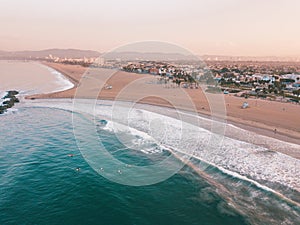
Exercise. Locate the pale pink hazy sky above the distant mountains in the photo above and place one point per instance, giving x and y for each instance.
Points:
(212, 27)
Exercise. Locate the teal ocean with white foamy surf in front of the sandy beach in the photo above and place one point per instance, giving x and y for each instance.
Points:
(49, 175)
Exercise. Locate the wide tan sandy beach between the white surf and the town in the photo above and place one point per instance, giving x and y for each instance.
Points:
(262, 117)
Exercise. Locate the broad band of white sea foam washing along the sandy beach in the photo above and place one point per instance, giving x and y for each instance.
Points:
(235, 157)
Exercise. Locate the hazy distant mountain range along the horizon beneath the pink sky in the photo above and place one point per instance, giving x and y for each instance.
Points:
(77, 53)
